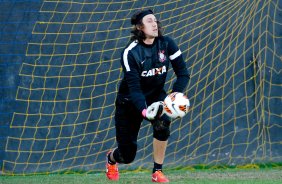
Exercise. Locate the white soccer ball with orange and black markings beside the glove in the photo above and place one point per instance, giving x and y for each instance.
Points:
(176, 105)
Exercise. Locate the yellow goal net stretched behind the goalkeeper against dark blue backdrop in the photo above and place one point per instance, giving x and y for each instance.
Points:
(69, 77)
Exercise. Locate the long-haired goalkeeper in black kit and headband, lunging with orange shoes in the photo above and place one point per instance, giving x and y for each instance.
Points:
(145, 62)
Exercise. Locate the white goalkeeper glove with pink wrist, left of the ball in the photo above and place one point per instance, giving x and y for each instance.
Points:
(154, 111)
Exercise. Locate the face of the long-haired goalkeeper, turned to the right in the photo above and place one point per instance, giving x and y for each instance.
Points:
(150, 27)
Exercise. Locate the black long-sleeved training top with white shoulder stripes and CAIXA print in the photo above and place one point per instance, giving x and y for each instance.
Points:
(145, 69)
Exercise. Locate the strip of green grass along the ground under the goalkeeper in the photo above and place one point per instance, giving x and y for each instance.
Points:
(218, 176)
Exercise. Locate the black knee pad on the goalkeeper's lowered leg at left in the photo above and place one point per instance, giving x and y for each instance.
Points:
(125, 153)
